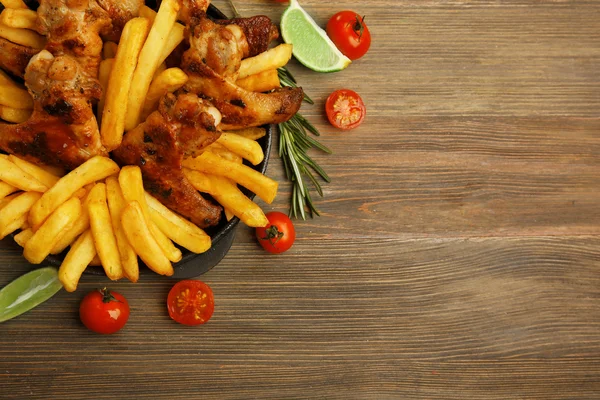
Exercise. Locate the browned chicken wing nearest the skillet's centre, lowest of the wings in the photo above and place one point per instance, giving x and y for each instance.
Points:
(182, 126)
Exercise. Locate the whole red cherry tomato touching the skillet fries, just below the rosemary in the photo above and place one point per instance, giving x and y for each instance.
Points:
(279, 234)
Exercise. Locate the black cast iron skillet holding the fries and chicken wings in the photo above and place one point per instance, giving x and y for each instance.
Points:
(222, 235)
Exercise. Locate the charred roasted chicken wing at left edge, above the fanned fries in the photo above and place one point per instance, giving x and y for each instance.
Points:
(62, 130)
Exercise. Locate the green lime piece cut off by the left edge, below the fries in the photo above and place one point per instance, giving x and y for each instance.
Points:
(28, 291)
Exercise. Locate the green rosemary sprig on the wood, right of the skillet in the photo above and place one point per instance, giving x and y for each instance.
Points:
(294, 142)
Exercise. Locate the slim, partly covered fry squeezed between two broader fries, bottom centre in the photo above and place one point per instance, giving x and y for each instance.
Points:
(116, 205)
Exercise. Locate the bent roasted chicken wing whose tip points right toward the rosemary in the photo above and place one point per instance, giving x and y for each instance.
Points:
(212, 50)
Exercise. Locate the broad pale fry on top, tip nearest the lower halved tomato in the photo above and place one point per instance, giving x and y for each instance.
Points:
(142, 241)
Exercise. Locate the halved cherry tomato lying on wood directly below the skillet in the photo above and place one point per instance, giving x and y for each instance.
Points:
(191, 302)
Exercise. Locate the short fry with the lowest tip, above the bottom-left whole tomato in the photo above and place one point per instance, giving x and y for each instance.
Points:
(77, 259)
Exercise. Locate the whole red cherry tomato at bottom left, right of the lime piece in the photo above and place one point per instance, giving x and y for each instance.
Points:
(103, 311)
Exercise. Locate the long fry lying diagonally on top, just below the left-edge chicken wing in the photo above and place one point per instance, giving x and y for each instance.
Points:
(92, 170)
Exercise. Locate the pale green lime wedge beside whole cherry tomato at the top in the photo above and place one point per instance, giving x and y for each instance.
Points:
(312, 46)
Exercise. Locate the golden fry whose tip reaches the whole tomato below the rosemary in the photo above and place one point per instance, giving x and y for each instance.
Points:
(229, 196)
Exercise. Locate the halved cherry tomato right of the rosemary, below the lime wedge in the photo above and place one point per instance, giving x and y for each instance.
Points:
(345, 109)
